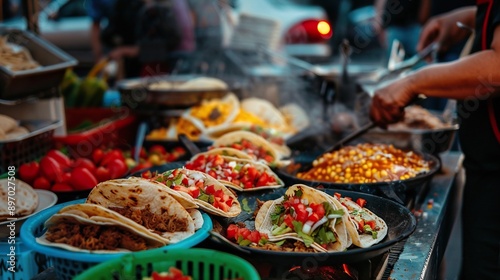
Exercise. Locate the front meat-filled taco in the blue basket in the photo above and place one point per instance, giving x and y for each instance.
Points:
(93, 228)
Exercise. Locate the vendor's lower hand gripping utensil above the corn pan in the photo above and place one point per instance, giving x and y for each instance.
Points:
(388, 103)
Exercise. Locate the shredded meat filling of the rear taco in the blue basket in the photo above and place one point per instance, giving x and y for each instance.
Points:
(158, 223)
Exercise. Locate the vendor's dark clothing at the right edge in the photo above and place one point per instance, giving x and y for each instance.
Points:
(480, 140)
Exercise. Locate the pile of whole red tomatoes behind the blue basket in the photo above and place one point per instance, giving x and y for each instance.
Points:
(59, 173)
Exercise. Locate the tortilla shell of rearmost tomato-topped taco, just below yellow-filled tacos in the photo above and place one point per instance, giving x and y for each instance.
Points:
(237, 136)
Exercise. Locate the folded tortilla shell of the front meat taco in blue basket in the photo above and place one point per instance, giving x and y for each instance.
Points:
(96, 215)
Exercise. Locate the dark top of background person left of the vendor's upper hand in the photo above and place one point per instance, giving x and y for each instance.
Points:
(401, 12)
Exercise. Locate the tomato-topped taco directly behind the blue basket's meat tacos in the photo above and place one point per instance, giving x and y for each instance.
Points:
(201, 189)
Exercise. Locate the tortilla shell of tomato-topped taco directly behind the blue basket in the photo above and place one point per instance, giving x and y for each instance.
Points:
(233, 211)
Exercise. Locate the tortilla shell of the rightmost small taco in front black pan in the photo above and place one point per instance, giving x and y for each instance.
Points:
(363, 240)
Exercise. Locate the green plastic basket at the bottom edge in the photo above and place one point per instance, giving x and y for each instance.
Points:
(200, 264)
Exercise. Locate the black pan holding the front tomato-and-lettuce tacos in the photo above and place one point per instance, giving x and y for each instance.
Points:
(400, 221)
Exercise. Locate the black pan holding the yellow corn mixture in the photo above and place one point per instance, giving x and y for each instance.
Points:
(395, 190)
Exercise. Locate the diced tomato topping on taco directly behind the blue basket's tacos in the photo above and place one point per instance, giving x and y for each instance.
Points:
(195, 185)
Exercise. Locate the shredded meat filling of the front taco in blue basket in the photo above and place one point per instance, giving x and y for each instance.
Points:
(94, 237)
